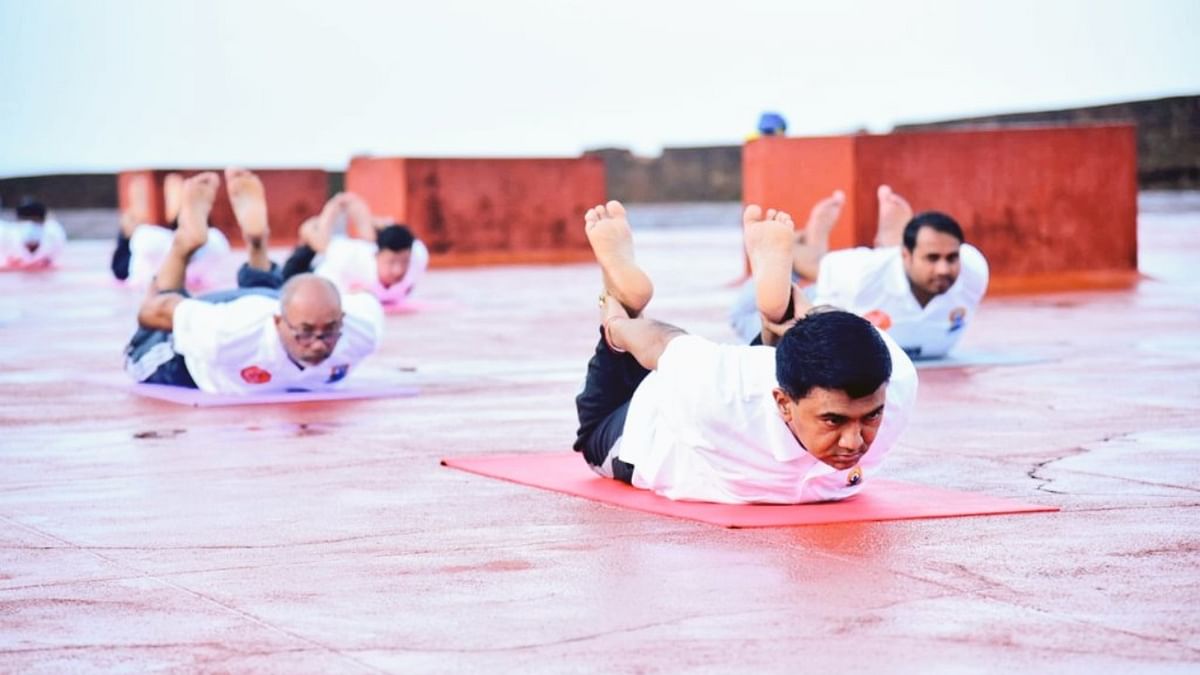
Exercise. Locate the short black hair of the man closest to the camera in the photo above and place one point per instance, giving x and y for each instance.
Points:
(832, 350)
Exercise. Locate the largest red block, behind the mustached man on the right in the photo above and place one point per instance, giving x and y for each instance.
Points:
(1051, 208)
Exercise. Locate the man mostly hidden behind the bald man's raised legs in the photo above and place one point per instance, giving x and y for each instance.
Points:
(142, 247)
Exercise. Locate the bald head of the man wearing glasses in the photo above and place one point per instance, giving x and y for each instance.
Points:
(310, 320)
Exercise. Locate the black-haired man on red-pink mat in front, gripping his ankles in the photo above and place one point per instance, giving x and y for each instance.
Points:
(805, 419)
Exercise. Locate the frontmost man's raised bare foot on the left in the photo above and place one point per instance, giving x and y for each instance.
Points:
(613, 243)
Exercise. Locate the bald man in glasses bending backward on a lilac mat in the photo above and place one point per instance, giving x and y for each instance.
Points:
(259, 338)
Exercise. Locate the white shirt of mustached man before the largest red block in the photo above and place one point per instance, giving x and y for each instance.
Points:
(874, 280)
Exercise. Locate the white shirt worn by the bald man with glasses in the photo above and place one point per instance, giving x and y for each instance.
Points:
(235, 348)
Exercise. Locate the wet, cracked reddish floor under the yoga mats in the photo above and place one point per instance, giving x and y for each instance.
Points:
(142, 536)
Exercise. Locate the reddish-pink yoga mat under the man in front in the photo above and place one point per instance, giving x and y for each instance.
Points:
(880, 500)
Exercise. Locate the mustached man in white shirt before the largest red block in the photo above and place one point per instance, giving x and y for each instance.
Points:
(921, 283)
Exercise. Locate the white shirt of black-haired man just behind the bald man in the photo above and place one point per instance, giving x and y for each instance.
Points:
(351, 265)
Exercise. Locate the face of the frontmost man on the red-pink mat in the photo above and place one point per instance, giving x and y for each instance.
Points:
(832, 427)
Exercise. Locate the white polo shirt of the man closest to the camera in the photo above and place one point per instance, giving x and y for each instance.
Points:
(705, 427)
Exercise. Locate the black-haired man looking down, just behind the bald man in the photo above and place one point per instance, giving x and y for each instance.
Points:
(380, 256)
